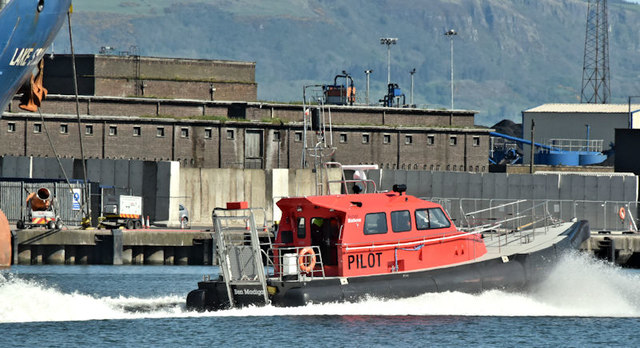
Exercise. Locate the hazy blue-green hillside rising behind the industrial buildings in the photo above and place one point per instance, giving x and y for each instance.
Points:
(508, 56)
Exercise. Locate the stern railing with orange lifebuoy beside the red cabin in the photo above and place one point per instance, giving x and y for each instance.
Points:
(296, 263)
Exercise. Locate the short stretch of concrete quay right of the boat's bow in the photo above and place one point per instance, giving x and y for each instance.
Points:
(622, 248)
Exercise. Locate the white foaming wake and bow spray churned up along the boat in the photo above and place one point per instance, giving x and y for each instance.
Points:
(578, 287)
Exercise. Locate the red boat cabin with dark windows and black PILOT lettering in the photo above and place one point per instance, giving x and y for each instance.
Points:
(374, 233)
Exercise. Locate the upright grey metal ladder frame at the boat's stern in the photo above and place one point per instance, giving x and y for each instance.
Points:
(240, 260)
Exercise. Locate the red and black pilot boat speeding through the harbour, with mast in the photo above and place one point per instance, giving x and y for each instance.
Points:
(354, 245)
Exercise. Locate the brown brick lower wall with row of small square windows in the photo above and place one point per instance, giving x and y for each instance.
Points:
(211, 144)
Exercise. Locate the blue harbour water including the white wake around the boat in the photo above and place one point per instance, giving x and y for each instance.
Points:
(583, 303)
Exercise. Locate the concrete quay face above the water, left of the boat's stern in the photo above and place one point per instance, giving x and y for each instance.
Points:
(112, 247)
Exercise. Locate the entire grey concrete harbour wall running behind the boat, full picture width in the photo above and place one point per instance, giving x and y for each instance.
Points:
(165, 185)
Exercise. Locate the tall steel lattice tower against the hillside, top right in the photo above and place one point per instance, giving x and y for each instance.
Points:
(595, 70)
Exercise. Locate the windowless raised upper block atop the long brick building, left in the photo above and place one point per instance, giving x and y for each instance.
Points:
(137, 76)
